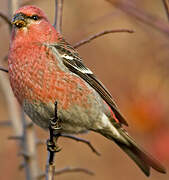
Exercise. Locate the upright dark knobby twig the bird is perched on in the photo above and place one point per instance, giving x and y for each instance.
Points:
(54, 129)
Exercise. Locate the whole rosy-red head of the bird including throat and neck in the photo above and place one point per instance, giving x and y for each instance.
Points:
(31, 24)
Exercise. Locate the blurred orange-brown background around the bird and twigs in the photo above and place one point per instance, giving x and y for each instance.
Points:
(135, 69)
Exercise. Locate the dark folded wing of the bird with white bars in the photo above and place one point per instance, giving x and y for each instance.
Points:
(74, 63)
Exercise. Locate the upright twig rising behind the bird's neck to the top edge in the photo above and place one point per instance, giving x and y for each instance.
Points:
(58, 15)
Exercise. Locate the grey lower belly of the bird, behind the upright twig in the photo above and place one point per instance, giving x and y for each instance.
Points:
(74, 120)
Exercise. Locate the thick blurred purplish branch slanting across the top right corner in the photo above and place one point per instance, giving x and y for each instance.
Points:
(130, 8)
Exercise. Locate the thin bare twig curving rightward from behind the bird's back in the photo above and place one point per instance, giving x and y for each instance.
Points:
(87, 40)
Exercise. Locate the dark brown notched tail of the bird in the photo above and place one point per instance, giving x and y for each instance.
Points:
(139, 156)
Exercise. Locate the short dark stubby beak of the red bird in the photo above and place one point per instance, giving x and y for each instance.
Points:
(19, 20)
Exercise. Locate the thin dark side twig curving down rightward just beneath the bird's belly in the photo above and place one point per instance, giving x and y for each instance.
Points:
(81, 140)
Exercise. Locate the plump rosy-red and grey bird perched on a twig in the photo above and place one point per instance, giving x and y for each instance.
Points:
(44, 68)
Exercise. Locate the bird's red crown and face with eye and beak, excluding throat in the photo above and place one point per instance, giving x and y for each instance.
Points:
(27, 16)
